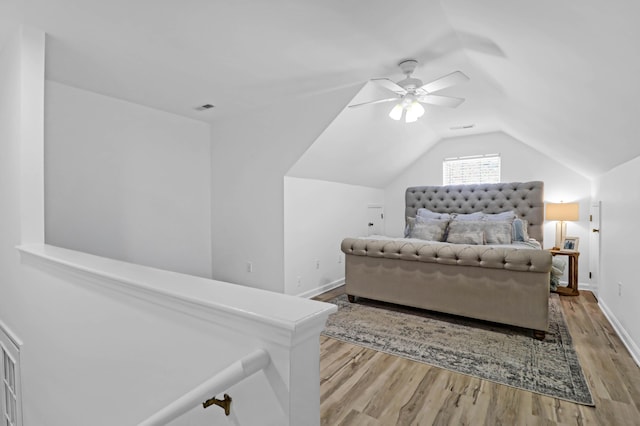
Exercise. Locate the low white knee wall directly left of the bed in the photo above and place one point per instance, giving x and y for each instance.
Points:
(317, 216)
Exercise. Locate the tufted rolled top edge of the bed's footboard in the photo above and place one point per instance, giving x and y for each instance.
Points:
(451, 254)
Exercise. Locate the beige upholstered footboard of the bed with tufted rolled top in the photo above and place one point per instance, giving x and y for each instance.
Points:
(504, 285)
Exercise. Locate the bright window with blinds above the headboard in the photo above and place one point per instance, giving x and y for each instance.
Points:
(472, 169)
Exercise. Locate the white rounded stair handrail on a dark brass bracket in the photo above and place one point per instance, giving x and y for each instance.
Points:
(229, 376)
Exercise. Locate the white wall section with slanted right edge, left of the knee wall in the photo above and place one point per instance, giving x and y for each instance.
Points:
(251, 154)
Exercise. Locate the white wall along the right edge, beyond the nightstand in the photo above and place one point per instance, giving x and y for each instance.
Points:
(620, 196)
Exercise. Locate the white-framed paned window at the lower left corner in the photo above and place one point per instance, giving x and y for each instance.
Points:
(9, 380)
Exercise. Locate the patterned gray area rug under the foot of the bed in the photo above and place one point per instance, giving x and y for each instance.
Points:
(502, 354)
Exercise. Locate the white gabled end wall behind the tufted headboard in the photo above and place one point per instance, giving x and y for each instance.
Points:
(519, 163)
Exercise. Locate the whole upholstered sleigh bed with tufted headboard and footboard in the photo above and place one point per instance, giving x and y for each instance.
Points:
(503, 283)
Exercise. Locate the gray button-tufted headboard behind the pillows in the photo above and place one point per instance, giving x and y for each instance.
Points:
(525, 198)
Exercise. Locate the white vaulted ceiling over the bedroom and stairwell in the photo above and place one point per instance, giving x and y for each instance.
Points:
(559, 76)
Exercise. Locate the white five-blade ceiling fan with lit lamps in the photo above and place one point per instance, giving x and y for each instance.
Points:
(411, 93)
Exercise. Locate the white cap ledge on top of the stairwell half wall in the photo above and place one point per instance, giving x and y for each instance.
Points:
(284, 319)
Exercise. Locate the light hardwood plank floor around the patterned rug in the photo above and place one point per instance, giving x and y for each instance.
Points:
(360, 386)
